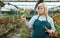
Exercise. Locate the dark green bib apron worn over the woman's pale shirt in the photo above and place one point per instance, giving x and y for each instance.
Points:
(39, 30)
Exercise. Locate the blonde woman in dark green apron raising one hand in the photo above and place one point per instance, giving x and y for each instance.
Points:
(42, 24)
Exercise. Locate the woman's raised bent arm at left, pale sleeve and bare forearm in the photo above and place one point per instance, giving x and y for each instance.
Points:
(30, 23)
